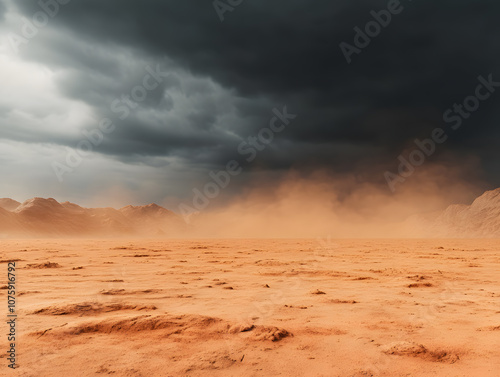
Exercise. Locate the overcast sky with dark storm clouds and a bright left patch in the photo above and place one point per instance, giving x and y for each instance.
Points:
(220, 81)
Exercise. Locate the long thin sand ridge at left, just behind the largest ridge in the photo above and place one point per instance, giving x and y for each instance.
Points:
(90, 308)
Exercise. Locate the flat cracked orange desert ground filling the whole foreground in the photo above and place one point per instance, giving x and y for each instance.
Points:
(255, 307)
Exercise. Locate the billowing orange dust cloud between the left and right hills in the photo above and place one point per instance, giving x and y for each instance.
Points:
(343, 206)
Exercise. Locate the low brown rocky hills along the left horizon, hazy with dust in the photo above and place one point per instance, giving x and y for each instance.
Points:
(48, 217)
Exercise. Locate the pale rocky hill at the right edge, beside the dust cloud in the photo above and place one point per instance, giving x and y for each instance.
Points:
(480, 219)
